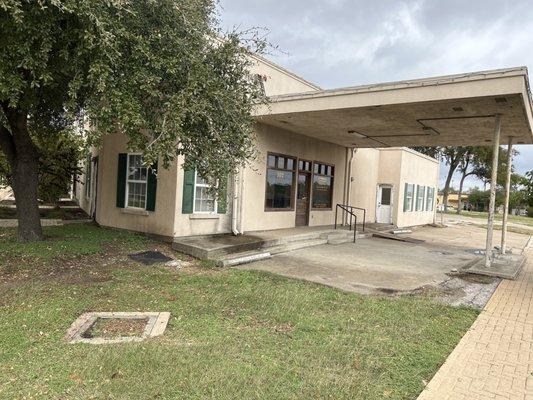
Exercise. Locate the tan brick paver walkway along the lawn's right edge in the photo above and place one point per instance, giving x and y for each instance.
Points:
(494, 360)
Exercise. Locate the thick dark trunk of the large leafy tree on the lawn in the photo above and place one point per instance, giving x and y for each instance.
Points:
(22, 157)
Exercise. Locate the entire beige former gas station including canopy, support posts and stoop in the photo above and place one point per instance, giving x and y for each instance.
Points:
(325, 158)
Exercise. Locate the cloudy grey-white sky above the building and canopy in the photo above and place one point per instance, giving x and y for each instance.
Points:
(336, 43)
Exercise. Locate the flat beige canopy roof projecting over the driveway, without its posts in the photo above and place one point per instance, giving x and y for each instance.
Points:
(454, 110)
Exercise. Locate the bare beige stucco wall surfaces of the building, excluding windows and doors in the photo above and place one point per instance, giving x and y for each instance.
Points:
(369, 167)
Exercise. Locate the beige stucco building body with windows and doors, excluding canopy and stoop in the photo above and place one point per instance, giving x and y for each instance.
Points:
(295, 180)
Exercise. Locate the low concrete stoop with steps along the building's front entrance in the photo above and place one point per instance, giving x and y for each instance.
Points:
(229, 251)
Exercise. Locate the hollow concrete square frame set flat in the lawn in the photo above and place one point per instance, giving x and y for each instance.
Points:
(155, 326)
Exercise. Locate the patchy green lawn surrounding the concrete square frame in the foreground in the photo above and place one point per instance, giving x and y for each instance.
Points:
(232, 334)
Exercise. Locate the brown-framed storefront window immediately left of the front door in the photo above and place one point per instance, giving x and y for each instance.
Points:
(280, 182)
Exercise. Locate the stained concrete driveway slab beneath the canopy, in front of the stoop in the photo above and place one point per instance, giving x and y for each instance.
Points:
(368, 265)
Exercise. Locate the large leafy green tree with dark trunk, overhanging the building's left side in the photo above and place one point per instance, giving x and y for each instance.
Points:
(161, 72)
